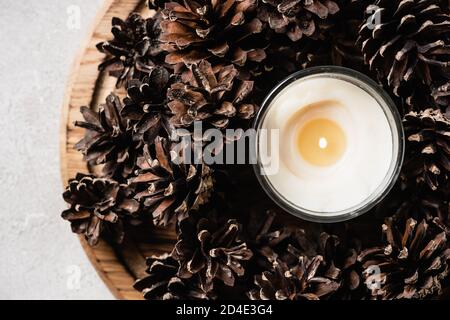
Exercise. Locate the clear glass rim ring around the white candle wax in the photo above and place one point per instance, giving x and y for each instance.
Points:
(395, 124)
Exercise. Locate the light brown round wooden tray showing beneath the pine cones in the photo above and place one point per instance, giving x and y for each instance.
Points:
(118, 266)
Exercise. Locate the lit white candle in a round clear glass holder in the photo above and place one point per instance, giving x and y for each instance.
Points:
(329, 144)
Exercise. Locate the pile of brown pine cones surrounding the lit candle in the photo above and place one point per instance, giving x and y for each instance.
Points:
(214, 61)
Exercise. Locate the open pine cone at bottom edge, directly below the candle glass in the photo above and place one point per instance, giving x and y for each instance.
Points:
(303, 281)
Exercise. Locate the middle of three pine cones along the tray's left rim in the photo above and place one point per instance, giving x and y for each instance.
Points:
(108, 139)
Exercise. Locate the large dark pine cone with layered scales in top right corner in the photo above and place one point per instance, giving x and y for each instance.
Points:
(409, 47)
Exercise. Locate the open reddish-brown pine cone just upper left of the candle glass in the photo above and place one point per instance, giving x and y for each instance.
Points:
(212, 95)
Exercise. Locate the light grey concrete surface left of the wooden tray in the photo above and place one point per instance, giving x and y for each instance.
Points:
(39, 257)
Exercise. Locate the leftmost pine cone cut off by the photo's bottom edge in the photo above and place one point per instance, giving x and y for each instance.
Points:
(162, 282)
